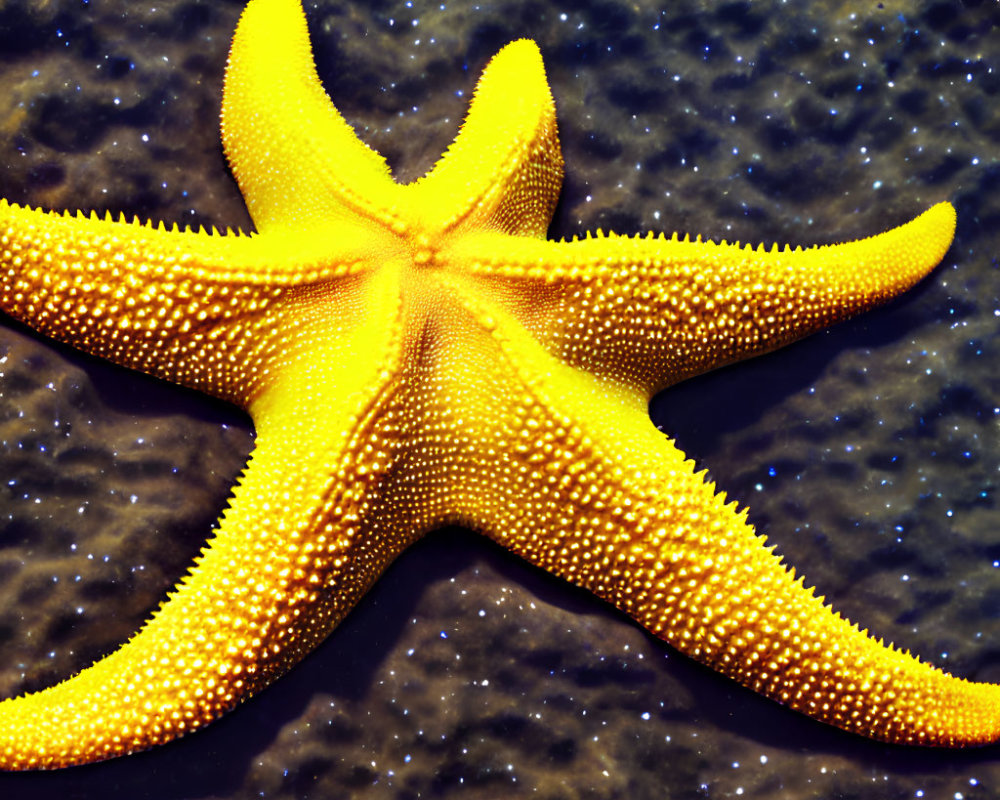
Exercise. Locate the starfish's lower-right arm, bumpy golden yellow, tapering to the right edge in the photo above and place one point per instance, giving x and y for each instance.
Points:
(593, 493)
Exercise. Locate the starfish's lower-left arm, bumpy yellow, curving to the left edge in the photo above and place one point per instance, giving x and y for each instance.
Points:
(295, 549)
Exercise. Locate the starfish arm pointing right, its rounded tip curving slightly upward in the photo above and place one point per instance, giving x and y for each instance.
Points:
(648, 312)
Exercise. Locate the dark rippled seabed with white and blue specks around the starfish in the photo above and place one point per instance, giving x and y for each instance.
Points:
(869, 453)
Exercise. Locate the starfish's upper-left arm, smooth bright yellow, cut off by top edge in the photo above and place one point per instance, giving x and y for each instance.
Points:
(296, 159)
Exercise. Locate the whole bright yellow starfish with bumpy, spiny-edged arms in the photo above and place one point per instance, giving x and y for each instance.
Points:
(414, 356)
